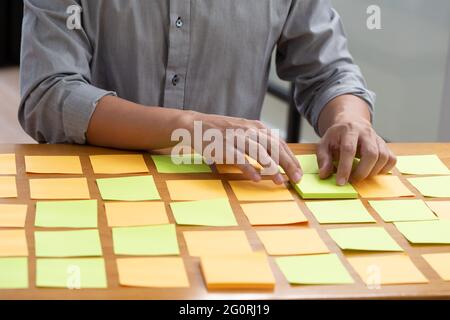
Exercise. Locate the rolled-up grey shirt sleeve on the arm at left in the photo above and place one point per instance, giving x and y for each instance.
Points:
(57, 97)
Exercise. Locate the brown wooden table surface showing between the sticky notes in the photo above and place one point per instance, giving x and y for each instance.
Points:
(436, 288)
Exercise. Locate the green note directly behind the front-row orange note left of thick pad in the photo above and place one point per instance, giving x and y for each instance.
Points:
(148, 240)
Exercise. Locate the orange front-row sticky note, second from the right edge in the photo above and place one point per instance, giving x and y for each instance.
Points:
(385, 269)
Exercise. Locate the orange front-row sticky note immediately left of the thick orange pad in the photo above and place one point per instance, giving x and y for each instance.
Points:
(154, 272)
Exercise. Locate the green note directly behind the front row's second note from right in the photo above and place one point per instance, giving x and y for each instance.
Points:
(364, 239)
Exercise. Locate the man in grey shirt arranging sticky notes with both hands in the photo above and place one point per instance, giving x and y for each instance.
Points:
(132, 72)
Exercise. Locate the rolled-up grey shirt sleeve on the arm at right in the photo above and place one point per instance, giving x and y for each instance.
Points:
(312, 52)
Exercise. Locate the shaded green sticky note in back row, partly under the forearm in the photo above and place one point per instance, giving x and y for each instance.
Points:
(189, 163)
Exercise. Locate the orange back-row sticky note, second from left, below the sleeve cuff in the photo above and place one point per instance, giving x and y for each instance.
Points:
(53, 164)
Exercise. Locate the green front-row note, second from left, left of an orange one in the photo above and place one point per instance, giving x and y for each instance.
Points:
(71, 273)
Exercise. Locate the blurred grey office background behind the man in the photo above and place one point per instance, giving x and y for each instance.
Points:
(407, 63)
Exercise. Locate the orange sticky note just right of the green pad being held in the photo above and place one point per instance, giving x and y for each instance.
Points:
(382, 186)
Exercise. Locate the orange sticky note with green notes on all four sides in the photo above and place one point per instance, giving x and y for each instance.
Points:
(130, 214)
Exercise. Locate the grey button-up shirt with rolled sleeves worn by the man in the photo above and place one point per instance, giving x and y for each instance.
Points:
(211, 56)
